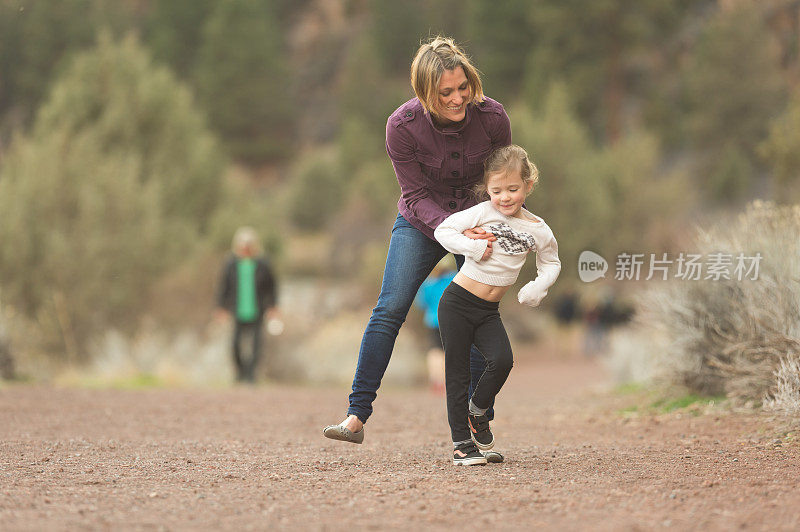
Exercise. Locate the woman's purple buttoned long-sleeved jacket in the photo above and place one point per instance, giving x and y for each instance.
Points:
(437, 168)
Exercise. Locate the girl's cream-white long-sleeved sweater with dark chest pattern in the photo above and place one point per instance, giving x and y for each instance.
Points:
(515, 238)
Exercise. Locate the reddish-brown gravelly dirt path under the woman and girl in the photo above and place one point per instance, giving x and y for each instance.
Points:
(254, 458)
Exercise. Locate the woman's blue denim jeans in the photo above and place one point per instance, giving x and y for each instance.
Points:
(410, 260)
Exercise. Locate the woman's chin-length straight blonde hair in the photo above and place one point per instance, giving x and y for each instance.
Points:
(432, 59)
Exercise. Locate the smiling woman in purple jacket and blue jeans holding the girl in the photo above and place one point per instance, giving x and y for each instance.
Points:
(437, 143)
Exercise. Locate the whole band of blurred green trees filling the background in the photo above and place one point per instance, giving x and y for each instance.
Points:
(629, 109)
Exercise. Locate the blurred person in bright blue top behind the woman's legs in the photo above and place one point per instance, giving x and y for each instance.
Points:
(428, 296)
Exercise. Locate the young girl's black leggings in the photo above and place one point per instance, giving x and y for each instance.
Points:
(465, 319)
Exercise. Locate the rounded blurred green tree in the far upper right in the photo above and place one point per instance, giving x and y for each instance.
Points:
(734, 88)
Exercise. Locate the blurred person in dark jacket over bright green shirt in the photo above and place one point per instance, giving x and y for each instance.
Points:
(247, 293)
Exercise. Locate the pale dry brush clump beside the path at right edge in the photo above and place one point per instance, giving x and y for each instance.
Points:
(731, 336)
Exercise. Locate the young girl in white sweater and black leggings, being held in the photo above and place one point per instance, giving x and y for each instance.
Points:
(468, 310)
